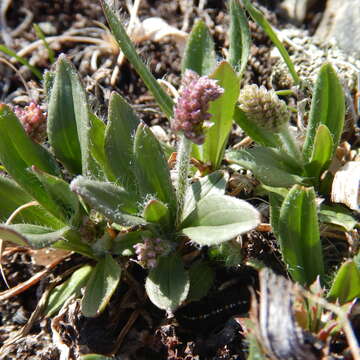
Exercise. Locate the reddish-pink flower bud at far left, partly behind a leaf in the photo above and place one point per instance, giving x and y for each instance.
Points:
(33, 121)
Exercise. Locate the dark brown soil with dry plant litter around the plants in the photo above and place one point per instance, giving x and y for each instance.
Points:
(131, 327)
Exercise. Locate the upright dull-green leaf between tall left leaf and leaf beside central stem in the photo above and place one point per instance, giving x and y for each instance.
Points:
(119, 139)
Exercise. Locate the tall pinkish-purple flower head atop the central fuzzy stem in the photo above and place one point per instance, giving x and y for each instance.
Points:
(193, 104)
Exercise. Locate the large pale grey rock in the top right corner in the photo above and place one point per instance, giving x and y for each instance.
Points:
(341, 21)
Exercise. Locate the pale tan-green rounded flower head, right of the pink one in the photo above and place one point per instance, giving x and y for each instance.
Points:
(263, 107)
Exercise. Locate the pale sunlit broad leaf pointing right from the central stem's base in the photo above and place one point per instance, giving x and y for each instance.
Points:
(219, 218)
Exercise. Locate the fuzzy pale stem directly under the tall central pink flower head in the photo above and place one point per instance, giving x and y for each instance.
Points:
(182, 170)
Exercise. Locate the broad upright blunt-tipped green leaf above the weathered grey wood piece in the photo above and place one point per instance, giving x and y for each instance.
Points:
(299, 235)
